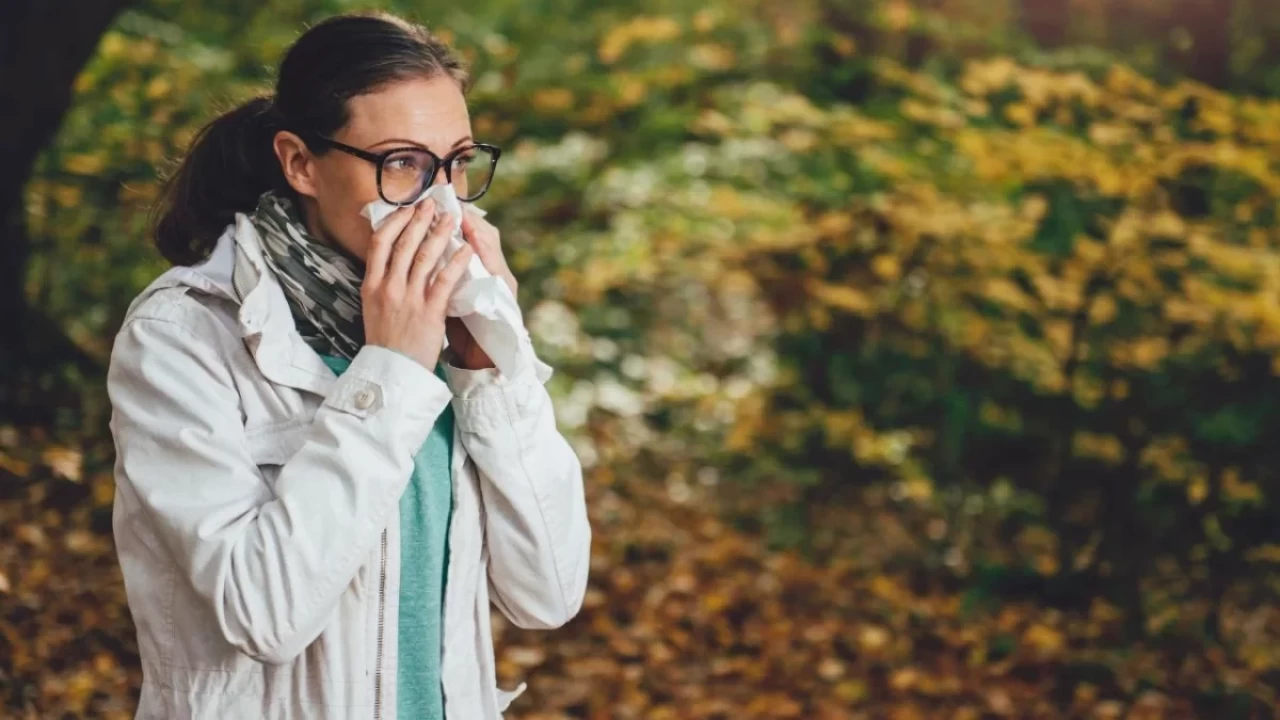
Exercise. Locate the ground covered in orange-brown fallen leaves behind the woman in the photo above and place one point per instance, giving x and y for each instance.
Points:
(688, 618)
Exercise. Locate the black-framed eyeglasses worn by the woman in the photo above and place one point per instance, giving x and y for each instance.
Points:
(405, 174)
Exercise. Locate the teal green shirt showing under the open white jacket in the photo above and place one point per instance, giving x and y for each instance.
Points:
(426, 509)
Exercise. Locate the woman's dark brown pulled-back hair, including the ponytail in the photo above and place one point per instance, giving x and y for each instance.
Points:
(231, 162)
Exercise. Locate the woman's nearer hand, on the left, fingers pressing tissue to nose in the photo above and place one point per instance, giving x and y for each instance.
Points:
(403, 311)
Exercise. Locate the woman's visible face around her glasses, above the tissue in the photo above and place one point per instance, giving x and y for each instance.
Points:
(336, 186)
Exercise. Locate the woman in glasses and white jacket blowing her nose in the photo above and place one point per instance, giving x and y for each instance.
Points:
(316, 500)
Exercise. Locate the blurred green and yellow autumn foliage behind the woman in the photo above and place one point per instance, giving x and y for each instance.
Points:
(825, 244)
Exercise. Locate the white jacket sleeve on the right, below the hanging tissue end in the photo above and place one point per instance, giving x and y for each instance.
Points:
(537, 527)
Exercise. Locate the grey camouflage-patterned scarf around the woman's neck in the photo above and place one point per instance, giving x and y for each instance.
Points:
(321, 284)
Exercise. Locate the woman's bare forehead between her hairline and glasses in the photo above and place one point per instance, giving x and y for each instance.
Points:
(432, 113)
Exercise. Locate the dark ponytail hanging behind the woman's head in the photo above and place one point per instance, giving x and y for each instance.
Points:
(231, 163)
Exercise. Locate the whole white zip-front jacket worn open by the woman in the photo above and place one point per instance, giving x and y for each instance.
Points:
(257, 511)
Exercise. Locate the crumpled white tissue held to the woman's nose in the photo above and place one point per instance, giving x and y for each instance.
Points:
(483, 302)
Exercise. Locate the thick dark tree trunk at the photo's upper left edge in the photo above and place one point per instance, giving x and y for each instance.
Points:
(44, 45)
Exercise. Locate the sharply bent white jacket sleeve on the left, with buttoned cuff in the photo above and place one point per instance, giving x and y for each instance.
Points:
(272, 562)
